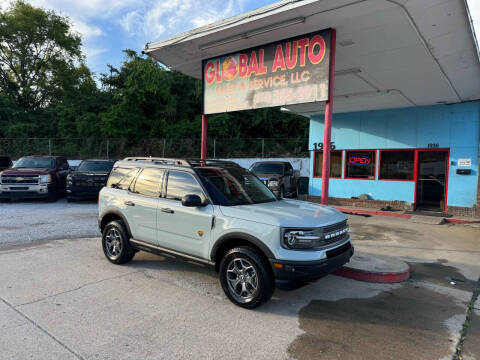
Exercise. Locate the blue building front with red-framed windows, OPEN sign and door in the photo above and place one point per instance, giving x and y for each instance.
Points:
(409, 158)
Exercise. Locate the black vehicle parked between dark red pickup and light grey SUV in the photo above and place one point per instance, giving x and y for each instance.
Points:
(88, 179)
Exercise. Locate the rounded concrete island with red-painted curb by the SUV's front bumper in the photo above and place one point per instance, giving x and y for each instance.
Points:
(376, 269)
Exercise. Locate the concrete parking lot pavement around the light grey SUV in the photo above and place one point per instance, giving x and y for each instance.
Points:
(61, 299)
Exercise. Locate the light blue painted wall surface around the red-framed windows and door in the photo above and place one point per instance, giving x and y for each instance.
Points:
(451, 126)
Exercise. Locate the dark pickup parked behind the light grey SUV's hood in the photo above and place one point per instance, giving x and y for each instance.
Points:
(279, 176)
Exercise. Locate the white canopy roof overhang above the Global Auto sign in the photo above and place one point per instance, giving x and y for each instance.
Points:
(390, 53)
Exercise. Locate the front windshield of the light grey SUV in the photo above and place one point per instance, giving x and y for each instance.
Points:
(234, 186)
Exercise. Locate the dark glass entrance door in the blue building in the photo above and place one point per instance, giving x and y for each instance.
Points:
(432, 180)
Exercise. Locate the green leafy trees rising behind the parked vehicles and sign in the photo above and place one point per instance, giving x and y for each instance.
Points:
(47, 91)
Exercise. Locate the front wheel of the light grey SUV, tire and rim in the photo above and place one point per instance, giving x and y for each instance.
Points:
(246, 277)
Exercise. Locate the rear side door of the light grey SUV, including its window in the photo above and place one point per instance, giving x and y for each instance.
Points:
(142, 202)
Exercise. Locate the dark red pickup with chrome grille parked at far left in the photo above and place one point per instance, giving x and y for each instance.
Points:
(35, 177)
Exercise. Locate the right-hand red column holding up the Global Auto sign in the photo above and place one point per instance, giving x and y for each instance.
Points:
(327, 131)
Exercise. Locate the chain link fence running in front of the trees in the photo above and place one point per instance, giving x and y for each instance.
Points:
(83, 148)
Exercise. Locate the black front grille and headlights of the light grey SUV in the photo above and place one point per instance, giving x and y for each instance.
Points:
(312, 238)
